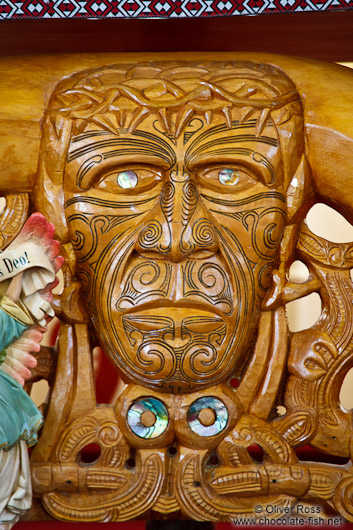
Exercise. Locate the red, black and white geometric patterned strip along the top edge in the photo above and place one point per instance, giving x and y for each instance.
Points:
(88, 9)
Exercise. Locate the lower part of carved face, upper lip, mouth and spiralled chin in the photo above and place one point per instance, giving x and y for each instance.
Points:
(174, 327)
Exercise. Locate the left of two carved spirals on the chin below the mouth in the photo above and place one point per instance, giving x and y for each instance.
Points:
(155, 360)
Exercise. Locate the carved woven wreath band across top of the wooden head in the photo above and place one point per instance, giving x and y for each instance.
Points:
(173, 92)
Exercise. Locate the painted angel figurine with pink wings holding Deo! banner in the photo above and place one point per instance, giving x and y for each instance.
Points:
(27, 276)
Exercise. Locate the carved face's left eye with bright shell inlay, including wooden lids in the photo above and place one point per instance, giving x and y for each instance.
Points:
(129, 180)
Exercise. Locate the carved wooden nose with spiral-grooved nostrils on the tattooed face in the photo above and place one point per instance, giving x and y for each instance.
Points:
(179, 227)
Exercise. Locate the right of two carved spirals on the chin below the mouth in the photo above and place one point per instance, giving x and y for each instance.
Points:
(199, 361)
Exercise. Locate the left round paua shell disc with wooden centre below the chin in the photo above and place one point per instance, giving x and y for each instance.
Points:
(148, 418)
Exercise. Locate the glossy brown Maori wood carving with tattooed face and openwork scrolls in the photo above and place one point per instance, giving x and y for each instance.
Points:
(179, 191)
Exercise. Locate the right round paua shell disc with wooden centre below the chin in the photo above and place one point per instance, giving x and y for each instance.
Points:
(207, 416)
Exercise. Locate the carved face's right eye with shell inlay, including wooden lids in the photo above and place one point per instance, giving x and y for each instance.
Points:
(234, 178)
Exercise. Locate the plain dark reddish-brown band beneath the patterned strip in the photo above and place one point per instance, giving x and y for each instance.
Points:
(318, 35)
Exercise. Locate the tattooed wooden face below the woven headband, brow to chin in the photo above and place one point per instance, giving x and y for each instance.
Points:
(175, 242)
